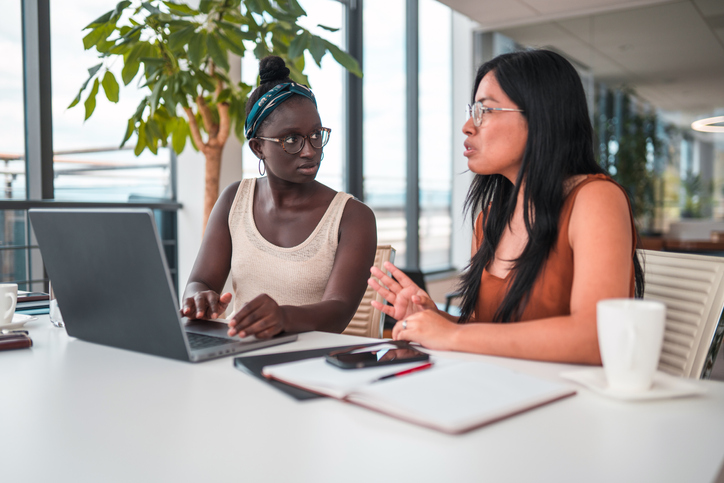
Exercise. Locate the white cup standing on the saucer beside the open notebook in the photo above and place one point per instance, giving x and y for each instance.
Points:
(630, 334)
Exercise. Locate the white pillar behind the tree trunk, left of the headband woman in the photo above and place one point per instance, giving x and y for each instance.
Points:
(190, 189)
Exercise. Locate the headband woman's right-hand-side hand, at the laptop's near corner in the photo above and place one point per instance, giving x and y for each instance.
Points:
(261, 316)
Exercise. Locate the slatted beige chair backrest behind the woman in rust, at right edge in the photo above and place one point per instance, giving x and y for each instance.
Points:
(692, 289)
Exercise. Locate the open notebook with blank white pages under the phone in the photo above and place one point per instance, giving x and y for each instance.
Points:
(453, 396)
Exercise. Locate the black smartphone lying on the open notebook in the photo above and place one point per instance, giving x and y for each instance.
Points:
(383, 355)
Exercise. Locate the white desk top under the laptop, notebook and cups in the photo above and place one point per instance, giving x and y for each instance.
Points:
(75, 411)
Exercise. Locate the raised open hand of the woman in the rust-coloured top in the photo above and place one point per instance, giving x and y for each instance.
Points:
(403, 295)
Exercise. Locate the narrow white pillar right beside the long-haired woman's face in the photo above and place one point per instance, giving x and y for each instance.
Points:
(463, 77)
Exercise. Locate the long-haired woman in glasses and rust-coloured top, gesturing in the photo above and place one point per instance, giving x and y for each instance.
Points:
(553, 233)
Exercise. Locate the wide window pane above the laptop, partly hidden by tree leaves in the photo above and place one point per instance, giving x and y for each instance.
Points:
(88, 165)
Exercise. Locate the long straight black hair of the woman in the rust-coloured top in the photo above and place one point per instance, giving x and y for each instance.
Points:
(560, 145)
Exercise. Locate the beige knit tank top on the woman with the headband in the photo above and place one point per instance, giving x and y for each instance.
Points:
(291, 276)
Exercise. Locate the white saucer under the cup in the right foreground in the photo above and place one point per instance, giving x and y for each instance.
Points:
(664, 386)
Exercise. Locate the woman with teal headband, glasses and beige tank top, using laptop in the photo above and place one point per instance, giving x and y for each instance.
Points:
(298, 251)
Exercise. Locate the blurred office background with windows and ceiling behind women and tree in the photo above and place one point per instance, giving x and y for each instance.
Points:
(650, 68)
